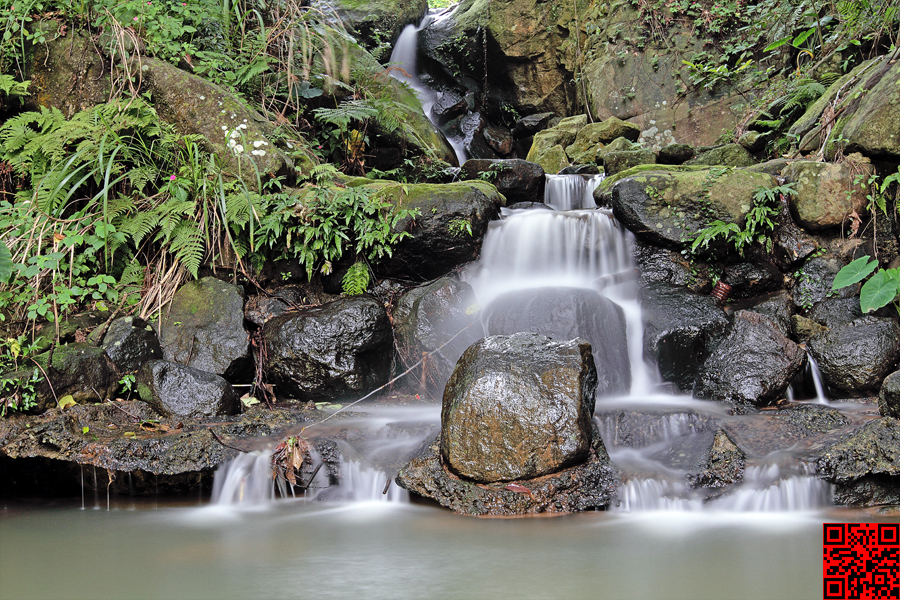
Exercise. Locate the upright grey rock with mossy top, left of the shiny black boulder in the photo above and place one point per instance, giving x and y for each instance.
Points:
(204, 329)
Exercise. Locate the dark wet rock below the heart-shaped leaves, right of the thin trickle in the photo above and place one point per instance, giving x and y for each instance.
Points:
(858, 356)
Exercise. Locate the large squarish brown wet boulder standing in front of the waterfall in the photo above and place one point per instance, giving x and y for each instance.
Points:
(518, 407)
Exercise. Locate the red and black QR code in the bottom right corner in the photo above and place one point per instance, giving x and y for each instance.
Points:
(860, 560)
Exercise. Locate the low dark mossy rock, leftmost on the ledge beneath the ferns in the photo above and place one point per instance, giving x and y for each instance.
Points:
(82, 371)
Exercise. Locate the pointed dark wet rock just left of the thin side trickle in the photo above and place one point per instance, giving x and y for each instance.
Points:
(754, 364)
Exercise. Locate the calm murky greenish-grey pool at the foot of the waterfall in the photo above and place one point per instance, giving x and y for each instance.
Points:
(298, 549)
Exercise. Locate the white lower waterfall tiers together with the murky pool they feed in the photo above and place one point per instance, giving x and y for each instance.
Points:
(357, 535)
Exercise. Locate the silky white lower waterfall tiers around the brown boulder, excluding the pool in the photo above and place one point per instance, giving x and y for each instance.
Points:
(582, 253)
